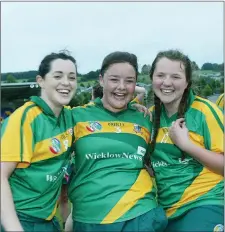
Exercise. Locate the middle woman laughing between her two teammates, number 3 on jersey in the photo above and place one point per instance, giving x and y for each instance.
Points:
(111, 190)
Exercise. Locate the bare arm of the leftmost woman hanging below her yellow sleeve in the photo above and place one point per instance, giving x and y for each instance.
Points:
(9, 219)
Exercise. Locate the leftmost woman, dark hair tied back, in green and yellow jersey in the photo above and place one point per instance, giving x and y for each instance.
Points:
(35, 149)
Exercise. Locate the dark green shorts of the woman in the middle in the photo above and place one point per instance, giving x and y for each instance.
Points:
(153, 221)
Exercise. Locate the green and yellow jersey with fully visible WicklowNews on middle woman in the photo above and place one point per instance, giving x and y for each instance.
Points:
(110, 184)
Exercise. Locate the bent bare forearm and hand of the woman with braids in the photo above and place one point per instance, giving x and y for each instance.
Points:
(210, 159)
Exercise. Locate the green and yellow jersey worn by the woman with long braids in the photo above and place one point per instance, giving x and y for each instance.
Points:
(184, 183)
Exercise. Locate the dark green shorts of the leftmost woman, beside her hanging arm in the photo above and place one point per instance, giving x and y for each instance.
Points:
(31, 224)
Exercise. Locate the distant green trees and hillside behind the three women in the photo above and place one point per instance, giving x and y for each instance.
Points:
(203, 86)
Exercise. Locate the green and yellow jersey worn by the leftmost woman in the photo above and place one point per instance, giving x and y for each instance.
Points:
(40, 143)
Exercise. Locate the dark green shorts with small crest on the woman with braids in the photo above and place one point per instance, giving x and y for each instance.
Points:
(208, 218)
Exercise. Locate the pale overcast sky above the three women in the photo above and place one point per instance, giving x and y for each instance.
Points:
(92, 30)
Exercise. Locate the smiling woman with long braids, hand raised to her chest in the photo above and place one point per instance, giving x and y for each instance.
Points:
(187, 148)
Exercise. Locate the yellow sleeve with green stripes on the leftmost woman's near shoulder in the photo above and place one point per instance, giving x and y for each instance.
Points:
(17, 136)
